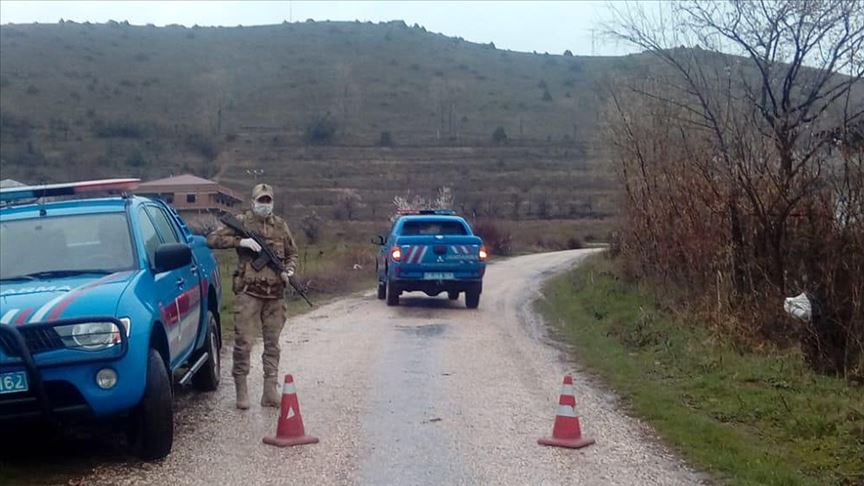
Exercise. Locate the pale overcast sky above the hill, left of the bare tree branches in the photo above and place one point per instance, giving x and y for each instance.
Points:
(522, 26)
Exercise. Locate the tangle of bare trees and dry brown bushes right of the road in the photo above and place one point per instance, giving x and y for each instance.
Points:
(744, 177)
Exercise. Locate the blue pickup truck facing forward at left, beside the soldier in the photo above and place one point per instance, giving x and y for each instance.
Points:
(104, 301)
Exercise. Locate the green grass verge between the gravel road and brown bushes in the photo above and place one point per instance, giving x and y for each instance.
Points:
(745, 417)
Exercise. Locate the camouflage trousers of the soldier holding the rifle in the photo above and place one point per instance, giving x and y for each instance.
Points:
(252, 313)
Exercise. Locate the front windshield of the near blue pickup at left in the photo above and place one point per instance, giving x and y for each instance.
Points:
(64, 245)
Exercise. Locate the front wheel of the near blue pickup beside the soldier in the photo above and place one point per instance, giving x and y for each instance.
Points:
(151, 430)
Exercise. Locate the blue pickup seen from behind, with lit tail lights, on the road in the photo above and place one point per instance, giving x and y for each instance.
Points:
(431, 251)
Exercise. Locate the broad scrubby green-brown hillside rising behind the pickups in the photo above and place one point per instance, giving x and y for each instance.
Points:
(309, 104)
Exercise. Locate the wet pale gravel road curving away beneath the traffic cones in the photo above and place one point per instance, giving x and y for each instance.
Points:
(426, 393)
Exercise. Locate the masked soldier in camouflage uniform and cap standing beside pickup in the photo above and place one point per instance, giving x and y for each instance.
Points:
(259, 295)
